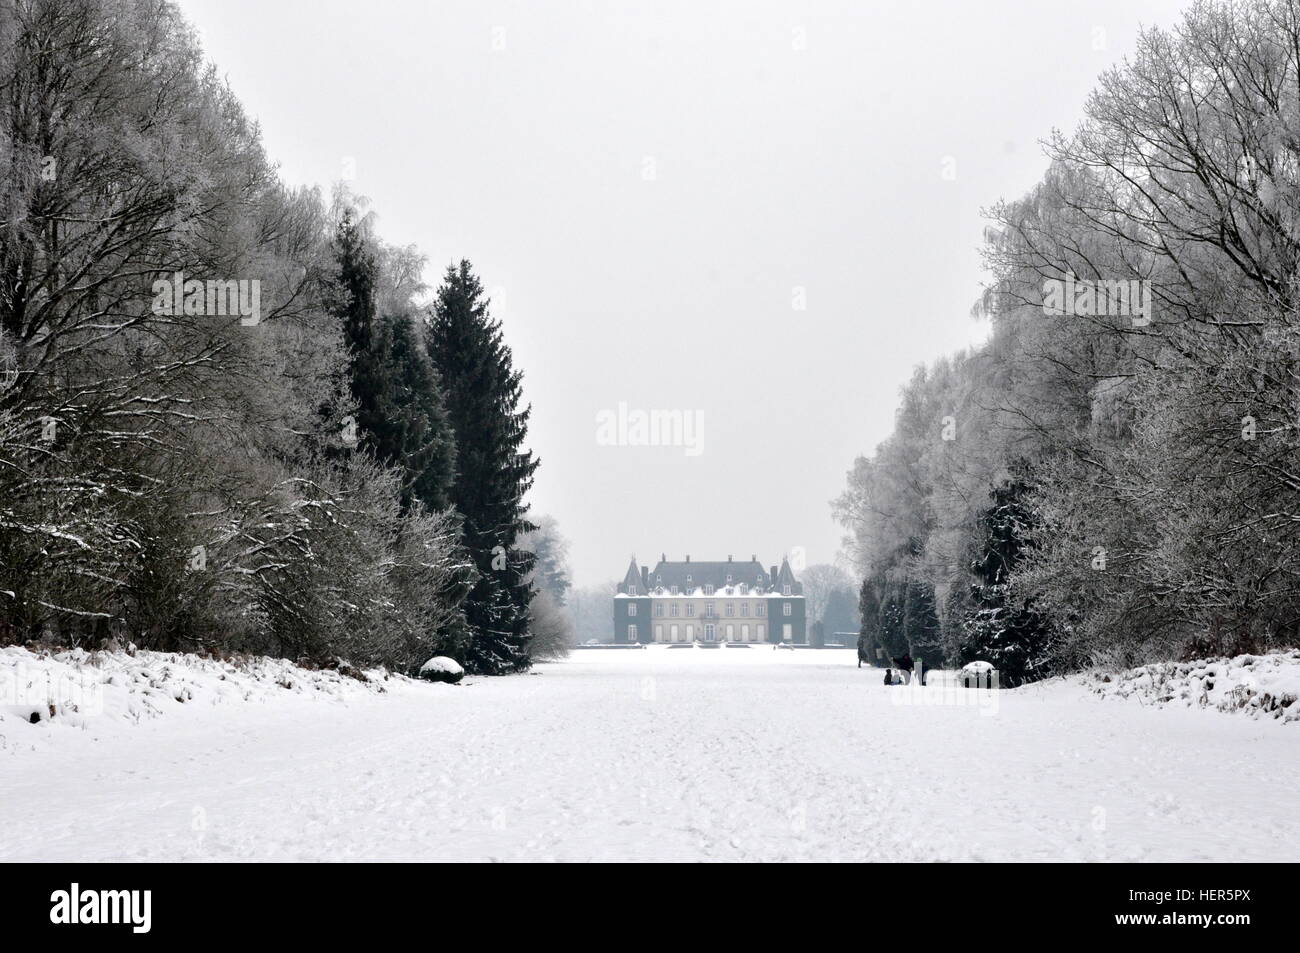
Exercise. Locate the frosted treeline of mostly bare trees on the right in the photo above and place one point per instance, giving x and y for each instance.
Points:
(1115, 476)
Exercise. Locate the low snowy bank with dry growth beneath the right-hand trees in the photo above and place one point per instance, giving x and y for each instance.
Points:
(1260, 686)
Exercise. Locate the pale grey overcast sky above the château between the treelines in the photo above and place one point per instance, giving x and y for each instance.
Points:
(653, 190)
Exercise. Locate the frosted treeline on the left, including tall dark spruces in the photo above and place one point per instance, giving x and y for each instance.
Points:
(226, 422)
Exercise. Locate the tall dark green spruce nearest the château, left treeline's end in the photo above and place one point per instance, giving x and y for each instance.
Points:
(483, 398)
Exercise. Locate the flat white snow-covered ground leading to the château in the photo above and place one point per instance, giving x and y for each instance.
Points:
(660, 755)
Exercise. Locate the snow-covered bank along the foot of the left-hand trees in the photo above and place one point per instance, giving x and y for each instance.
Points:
(77, 688)
